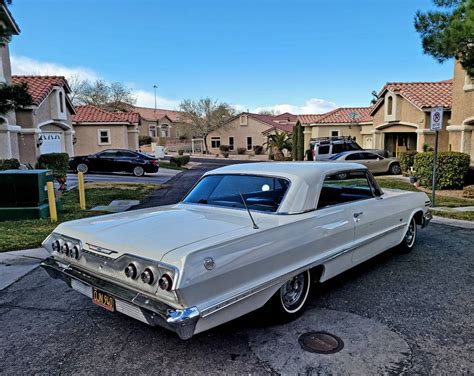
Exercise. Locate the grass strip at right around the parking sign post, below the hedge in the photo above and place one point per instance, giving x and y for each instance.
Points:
(450, 202)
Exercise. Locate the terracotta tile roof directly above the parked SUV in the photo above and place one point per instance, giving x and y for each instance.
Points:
(339, 115)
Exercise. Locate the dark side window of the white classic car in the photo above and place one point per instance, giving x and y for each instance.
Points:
(345, 187)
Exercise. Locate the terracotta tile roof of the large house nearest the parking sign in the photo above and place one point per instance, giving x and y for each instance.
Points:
(421, 94)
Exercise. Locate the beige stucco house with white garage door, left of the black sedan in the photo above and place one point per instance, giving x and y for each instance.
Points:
(46, 125)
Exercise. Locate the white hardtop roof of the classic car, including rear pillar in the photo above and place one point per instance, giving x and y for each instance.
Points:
(306, 179)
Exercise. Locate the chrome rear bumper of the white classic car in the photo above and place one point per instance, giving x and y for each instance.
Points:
(128, 302)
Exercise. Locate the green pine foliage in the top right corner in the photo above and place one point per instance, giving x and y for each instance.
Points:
(449, 33)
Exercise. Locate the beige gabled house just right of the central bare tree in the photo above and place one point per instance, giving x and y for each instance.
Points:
(247, 130)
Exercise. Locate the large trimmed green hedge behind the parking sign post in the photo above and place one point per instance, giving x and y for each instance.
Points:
(452, 168)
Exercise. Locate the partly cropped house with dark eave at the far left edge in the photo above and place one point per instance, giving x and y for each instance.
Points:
(9, 129)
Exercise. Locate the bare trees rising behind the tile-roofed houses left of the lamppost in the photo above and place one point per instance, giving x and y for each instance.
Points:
(110, 96)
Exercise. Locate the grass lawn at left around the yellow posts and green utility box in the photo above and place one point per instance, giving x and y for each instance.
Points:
(30, 233)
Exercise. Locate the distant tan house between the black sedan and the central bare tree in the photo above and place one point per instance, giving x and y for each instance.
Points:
(163, 124)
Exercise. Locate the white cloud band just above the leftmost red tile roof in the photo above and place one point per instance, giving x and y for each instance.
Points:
(22, 65)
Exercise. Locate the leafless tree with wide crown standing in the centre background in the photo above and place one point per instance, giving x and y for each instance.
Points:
(206, 115)
